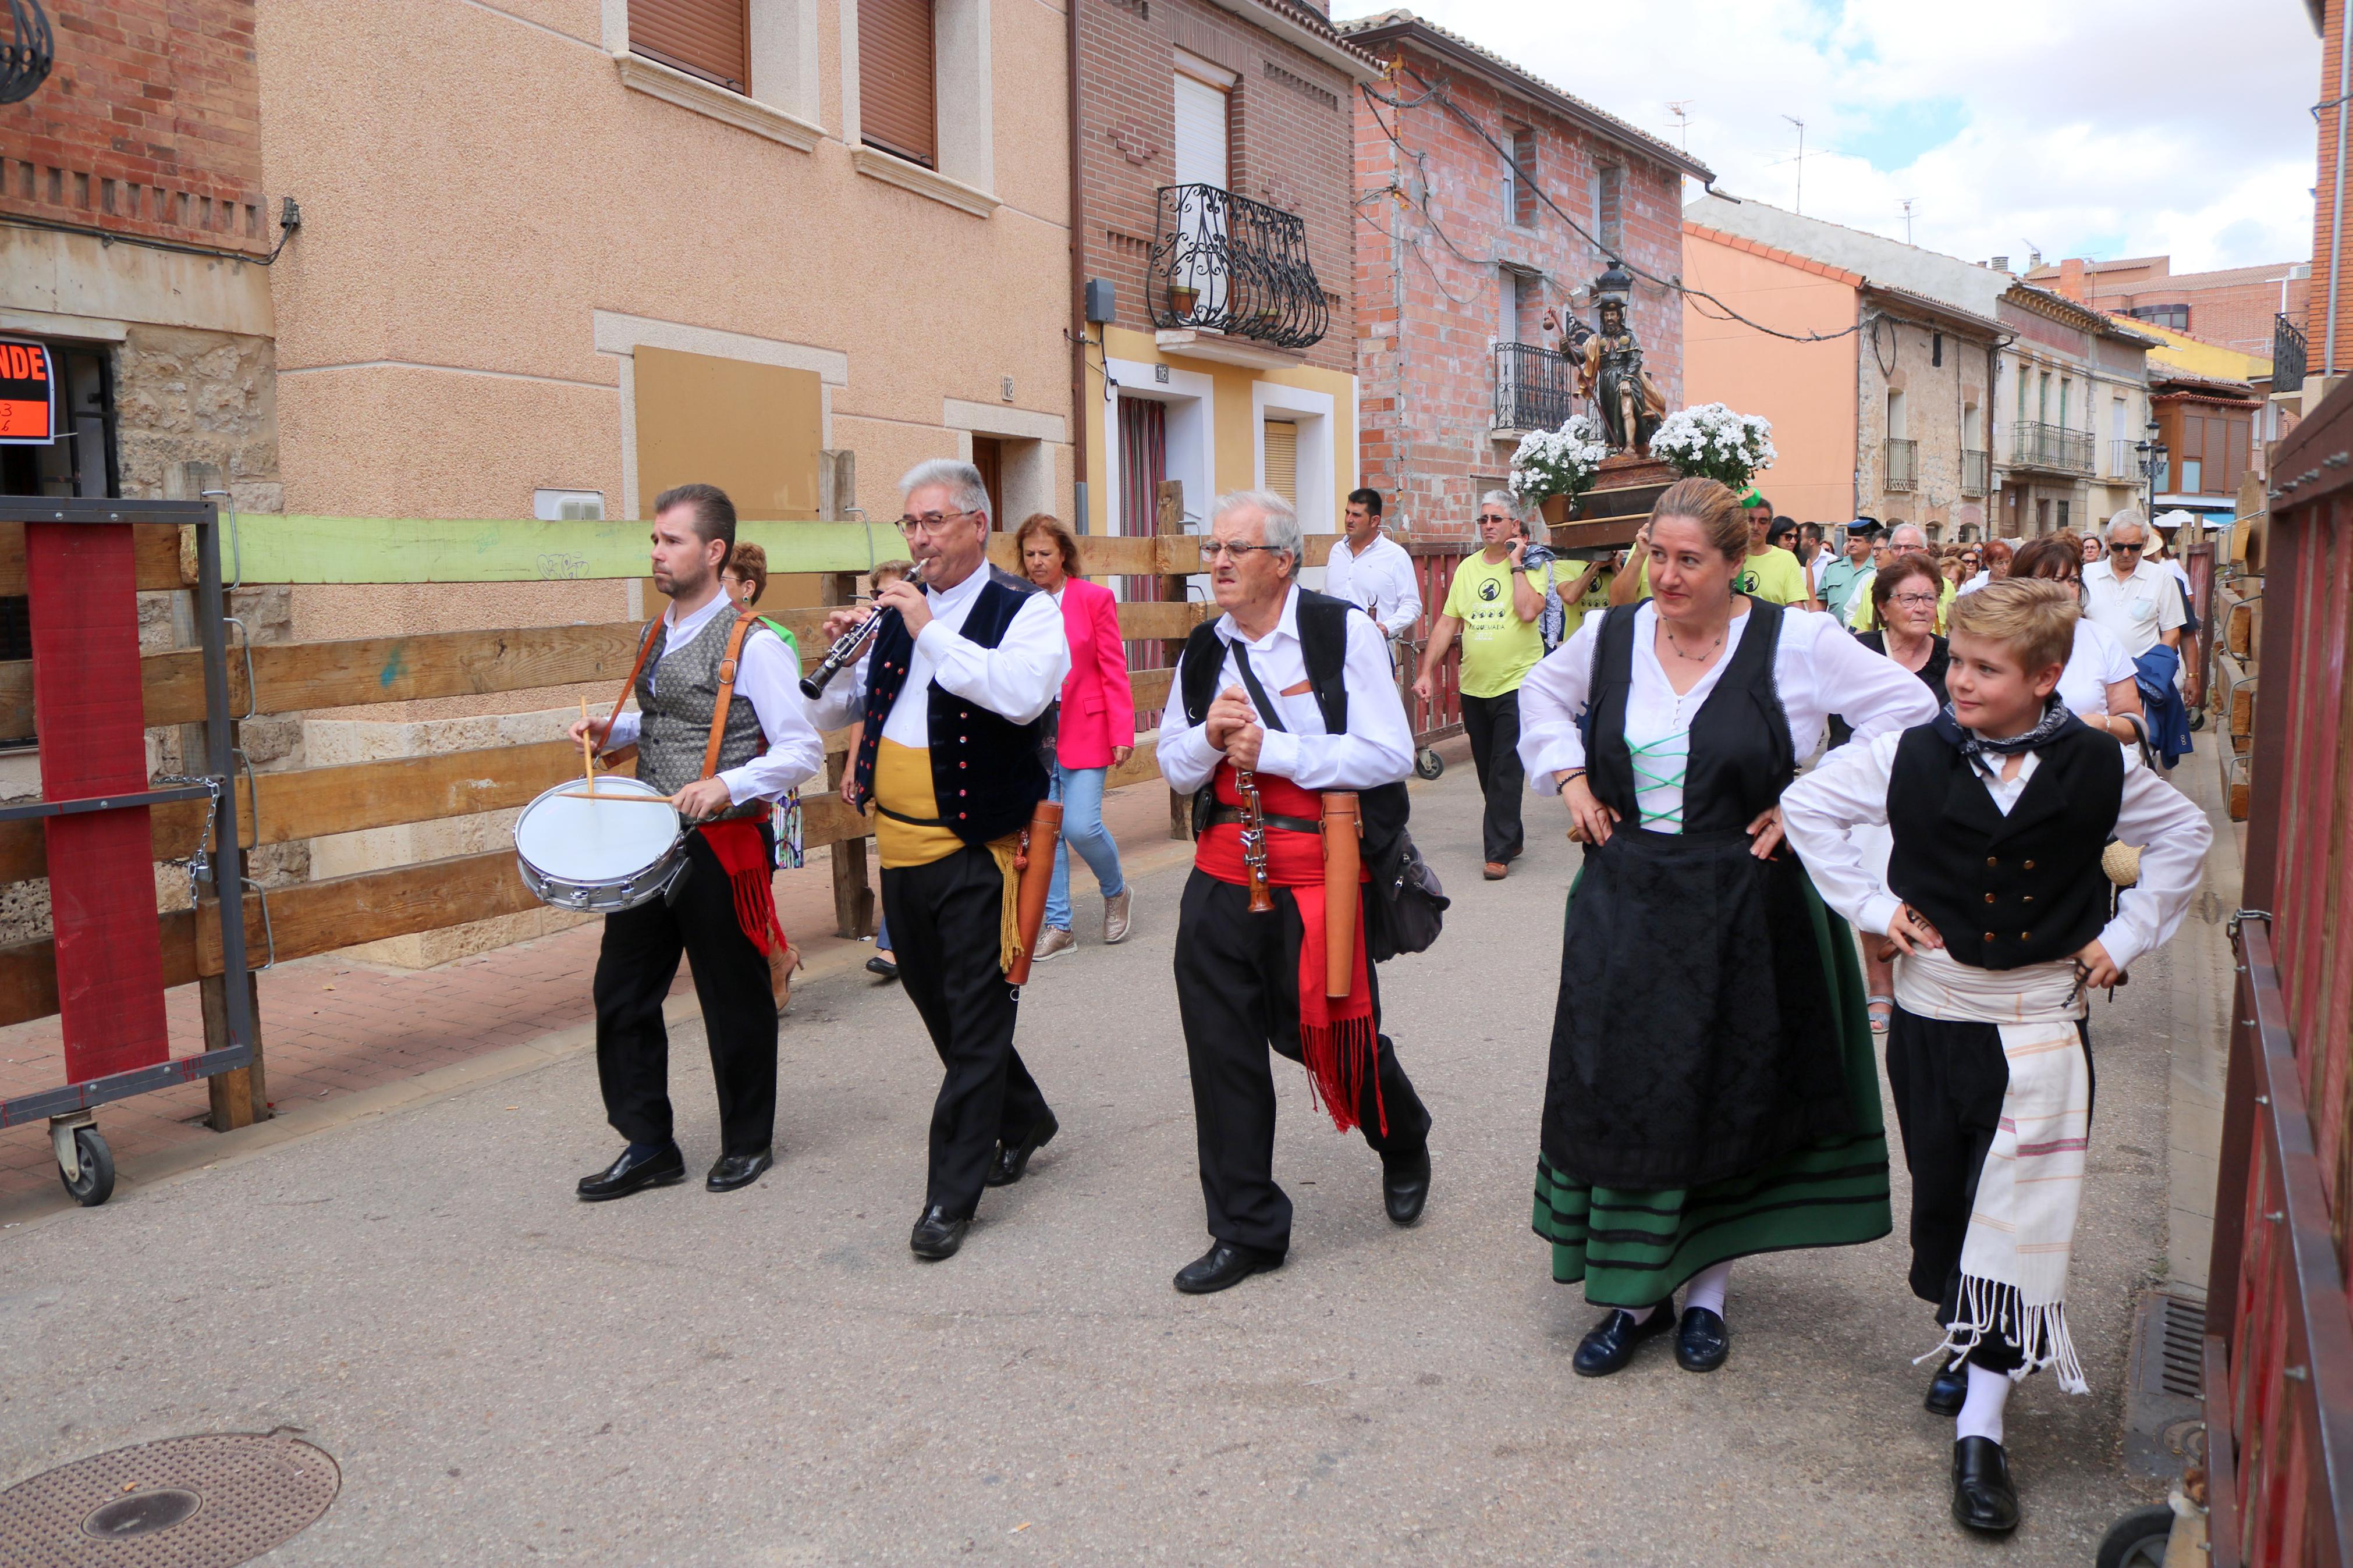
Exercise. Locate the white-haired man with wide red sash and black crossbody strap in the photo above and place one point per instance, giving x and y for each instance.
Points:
(1274, 706)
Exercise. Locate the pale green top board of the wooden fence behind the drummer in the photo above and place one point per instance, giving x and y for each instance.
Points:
(276, 549)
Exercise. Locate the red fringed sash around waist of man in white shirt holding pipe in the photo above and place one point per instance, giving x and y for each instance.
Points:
(1338, 1040)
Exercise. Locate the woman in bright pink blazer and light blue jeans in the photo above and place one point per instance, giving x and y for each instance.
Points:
(1098, 730)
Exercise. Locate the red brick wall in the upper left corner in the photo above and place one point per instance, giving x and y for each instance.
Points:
(149, 123)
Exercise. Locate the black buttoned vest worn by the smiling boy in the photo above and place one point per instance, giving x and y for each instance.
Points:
(2015, 890)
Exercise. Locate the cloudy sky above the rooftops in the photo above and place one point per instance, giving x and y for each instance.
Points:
(2081, 128)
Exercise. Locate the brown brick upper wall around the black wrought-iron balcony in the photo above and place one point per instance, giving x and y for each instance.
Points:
(1293, 138)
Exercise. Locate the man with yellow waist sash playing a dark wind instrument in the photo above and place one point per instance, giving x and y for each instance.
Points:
(954, 777)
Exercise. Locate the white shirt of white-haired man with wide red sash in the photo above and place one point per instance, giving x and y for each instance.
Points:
(1378, 746)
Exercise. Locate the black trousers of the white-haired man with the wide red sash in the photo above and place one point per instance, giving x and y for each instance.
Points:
(1239, 996)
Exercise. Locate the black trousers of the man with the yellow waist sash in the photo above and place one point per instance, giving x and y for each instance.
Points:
(945, 923)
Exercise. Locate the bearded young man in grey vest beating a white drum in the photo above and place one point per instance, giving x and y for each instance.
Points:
(726, 909)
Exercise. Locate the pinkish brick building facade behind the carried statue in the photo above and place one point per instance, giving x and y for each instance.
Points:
(1465, 255)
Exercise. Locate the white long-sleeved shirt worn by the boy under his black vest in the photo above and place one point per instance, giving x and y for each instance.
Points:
(1851, 791)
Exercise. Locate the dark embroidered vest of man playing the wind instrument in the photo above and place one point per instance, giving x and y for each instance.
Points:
(987, 772)
